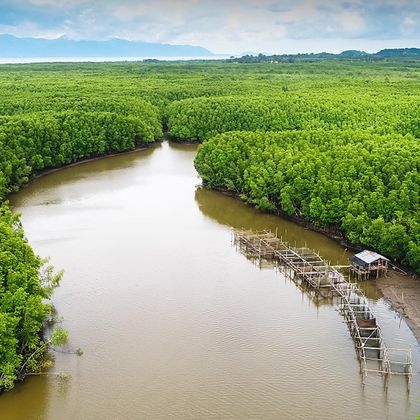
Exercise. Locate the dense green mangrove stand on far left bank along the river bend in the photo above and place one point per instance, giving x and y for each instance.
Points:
(36, 141)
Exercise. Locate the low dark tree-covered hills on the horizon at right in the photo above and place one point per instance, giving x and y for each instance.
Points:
(391, 54)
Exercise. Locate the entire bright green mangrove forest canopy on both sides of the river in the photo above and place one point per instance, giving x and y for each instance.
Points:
(346, 153)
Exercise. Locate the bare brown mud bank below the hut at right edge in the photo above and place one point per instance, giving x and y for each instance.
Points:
(403, 292)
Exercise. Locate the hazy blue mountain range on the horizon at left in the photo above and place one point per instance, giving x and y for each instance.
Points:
(13, 47)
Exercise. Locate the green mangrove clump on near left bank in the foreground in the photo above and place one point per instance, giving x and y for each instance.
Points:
(22, 311)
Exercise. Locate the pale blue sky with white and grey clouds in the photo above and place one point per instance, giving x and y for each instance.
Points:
(223, 26)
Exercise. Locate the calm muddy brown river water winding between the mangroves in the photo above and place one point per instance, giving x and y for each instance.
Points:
(173, 321)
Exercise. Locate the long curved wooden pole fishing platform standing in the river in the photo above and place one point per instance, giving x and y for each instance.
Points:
(319, 275)
